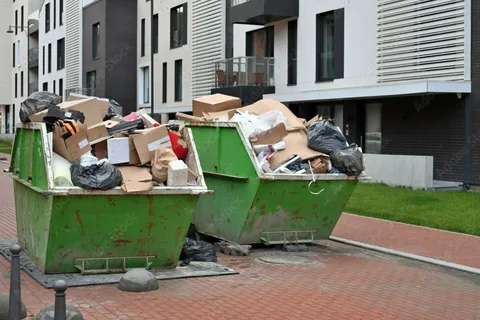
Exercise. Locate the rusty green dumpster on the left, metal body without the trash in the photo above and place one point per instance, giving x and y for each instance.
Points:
(67, 230)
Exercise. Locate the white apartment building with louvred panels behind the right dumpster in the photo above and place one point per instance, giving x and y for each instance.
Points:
(396, 75)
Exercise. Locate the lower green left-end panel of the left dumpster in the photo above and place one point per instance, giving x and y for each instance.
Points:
(33, 210)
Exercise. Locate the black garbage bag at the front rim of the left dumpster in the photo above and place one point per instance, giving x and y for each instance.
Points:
(100, 176)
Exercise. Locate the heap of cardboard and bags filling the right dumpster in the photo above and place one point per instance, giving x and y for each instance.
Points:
(283, 143)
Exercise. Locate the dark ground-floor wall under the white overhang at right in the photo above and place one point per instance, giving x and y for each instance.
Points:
(429, 125)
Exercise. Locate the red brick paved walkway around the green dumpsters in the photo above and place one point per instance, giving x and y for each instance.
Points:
(343, 282)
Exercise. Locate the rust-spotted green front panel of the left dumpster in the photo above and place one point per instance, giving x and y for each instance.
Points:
(118, 226)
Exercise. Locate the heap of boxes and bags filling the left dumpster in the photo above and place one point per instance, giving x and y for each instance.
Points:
(95, 147)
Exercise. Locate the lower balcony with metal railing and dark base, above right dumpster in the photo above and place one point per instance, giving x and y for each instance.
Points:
(247, 78)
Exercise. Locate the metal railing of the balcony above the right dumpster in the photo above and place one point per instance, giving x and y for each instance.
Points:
(245, 71)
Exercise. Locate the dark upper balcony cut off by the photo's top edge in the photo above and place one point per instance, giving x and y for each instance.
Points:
(261, 12)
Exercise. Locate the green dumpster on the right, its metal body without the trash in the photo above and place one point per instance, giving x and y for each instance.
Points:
(252, 207)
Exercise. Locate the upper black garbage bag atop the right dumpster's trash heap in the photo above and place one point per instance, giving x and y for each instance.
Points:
(324, 137)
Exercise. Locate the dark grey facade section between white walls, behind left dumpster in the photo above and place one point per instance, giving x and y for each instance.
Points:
(94, 13)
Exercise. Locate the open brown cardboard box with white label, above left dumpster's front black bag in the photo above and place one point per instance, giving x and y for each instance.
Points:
(73, 147)
